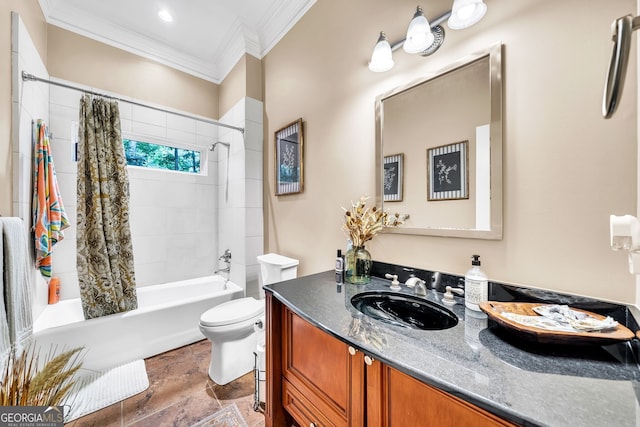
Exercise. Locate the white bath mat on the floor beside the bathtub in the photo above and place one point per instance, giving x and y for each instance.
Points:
(101, 389)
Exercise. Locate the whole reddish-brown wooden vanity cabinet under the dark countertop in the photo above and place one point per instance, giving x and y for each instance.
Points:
(314, 379)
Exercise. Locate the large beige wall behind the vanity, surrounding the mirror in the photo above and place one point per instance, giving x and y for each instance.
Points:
(565, 168)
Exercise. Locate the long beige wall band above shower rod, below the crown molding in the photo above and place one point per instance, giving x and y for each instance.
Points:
(82, 60)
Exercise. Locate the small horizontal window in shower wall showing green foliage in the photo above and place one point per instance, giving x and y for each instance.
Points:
(157, 156)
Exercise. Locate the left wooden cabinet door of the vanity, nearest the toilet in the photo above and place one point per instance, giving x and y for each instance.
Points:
(320, 368)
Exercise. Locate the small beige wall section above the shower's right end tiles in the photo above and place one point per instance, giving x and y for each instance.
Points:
(245, 79)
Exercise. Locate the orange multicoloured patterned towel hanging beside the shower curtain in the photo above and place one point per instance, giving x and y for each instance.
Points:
(49, 217)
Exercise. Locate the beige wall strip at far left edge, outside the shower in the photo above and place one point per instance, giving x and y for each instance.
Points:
(31, 15)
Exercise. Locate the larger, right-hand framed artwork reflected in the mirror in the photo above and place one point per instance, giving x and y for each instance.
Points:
(447, 172)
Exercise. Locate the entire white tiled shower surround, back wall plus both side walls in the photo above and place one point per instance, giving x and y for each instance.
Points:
(181, 223)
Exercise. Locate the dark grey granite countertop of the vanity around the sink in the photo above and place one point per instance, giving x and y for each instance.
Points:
(524, 382)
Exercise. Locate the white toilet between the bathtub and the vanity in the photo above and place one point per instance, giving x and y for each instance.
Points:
(231, 326)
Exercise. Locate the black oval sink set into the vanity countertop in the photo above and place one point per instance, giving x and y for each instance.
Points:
(404, 310)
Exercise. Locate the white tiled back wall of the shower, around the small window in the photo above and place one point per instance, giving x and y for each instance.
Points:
(173, 214)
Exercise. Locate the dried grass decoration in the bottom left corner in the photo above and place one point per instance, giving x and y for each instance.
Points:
(24, 385)
